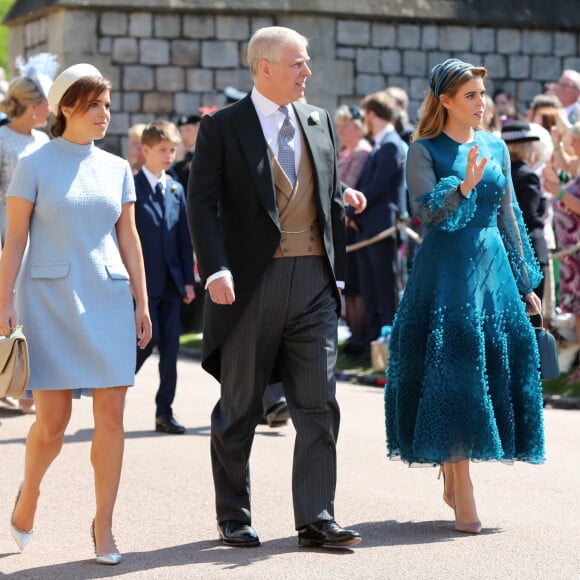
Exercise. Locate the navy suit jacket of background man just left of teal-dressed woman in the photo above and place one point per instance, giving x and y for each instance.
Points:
(382, 180)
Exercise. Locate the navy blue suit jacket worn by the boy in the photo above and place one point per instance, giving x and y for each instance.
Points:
(166, 243)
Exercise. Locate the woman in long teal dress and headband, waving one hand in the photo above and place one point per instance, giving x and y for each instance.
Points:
(463, 382)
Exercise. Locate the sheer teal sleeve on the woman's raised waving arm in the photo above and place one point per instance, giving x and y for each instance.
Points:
(437, 203)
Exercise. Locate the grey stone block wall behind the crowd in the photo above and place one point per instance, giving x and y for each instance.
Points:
(165, 62)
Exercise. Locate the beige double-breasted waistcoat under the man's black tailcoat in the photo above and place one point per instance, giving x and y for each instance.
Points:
(297, 210)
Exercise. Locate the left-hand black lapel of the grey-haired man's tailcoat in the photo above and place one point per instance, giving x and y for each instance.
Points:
(255, 150)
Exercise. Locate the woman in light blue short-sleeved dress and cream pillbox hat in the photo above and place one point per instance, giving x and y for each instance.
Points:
(74, 293)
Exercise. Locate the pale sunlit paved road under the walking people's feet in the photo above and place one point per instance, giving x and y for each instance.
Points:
(165, 522)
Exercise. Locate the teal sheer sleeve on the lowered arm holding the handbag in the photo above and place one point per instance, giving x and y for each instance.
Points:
(524, 265)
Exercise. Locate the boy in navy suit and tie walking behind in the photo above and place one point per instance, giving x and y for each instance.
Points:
(168, 253)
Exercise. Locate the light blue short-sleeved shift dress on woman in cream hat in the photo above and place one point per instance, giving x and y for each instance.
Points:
(72, 294)
